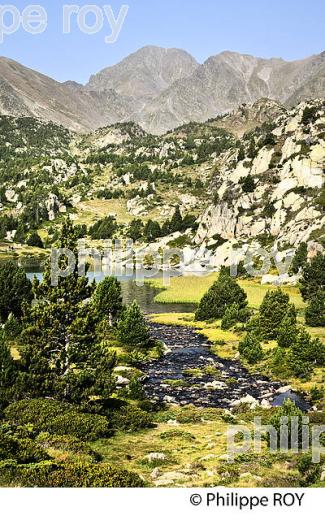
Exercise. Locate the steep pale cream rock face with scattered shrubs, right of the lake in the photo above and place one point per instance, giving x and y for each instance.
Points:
(269, 191)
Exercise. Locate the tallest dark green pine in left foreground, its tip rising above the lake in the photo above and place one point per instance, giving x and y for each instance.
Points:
(60, 328)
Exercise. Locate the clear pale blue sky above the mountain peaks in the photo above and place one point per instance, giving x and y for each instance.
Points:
(291, 29)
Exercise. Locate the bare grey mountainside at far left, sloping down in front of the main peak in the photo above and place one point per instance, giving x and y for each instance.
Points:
(24, 92)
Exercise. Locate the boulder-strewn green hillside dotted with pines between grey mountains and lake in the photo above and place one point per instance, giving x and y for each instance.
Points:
(264, 190)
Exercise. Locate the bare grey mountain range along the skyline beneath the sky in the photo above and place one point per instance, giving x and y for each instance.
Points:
(160, 89)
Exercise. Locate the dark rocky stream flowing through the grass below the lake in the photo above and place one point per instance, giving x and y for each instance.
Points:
(208, 380)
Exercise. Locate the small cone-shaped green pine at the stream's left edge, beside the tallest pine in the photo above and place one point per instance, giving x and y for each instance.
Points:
(132, 328)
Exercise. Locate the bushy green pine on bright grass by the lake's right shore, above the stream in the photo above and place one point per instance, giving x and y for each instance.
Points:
(223, 293)
